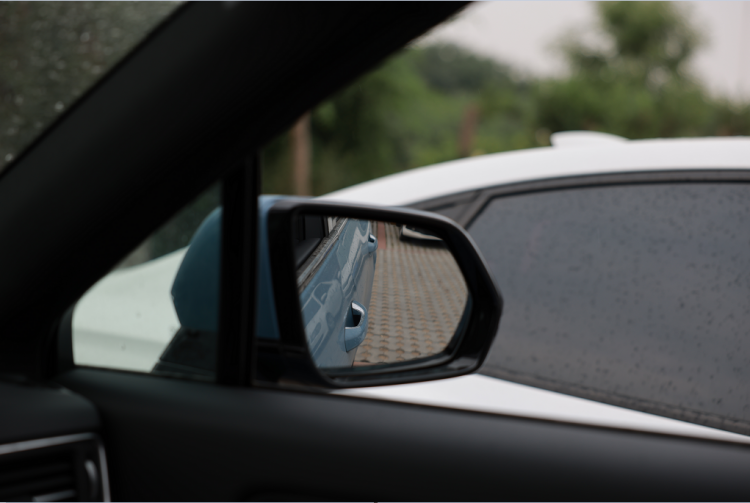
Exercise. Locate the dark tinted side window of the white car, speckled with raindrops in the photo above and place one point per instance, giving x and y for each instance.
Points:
(635, 295)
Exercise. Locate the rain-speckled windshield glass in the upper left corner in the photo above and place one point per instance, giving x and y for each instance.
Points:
(52, 52)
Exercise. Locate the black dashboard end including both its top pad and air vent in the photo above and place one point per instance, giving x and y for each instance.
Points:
(50, 449)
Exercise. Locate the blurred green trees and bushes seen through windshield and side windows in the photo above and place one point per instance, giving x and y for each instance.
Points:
(427, 104)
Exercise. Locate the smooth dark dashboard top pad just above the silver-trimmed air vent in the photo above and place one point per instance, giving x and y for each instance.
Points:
(33, 411)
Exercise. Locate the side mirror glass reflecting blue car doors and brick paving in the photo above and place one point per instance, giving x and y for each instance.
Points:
(375, 292)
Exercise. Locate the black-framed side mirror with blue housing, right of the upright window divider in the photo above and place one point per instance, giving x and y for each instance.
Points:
(369, 296)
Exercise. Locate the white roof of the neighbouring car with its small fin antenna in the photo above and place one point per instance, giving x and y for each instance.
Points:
(567, 158)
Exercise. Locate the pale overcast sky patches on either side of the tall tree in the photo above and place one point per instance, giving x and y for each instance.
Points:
(523, 34)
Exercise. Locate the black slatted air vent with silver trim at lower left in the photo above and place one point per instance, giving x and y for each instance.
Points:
(70, 468)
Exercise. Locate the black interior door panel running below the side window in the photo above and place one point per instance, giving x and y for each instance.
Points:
(175, 440)
